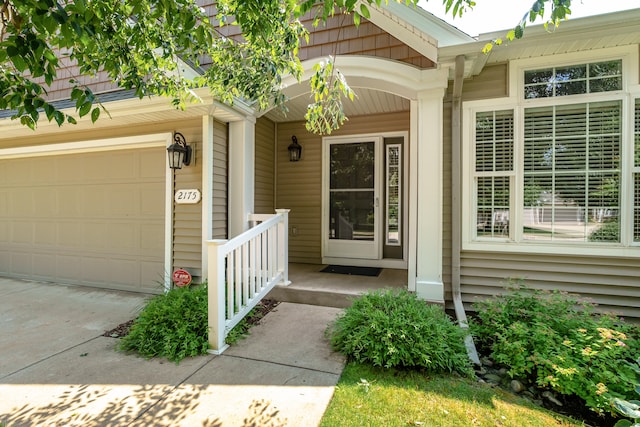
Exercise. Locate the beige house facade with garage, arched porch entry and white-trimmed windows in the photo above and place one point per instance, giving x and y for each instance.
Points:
(464, 169)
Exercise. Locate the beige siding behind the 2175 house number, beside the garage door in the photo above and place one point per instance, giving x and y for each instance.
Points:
(187, 218)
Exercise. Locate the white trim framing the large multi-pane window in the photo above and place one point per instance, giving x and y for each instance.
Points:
(517, 102)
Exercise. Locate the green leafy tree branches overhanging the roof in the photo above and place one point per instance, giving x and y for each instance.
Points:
(139, 44)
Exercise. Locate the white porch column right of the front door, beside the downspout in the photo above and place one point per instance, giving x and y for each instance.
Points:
(426, 196)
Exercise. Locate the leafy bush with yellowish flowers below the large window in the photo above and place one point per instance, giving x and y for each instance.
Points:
(556, 341)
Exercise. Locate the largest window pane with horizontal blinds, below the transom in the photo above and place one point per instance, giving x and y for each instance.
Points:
(572, 172)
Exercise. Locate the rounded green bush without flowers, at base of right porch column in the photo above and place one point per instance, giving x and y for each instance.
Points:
(388, 328)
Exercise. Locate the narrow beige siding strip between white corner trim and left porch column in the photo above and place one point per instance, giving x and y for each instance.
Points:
(220, 179)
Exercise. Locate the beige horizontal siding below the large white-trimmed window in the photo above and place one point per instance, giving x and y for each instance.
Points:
(611, 282)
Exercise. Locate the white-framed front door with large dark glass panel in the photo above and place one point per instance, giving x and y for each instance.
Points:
(352, 199)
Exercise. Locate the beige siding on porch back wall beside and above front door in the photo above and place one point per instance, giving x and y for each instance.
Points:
(299, 184)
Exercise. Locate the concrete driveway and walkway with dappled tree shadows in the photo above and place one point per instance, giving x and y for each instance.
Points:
(56, 368)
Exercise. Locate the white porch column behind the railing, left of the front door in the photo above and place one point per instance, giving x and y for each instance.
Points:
(241, 174)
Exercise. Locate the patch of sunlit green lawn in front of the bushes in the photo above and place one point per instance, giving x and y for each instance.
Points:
(367, 396)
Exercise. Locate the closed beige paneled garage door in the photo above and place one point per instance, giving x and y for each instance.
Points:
(93, 219)
